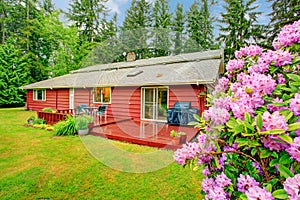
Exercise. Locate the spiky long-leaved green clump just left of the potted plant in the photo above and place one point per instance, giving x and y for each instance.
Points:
(66, 127)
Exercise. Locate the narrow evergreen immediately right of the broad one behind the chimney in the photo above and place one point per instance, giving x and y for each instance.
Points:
(162, 25)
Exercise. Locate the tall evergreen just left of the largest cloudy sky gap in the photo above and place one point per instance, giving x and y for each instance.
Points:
(88, 16)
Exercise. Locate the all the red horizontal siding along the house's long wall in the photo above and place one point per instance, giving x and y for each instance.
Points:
(125, 101)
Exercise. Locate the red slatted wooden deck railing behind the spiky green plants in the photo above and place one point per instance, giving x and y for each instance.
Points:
(52, 118)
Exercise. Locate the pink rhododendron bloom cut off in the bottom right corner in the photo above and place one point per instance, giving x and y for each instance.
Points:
(292, 187)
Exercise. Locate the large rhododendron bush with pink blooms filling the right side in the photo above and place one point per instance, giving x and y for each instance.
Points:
(249, 143)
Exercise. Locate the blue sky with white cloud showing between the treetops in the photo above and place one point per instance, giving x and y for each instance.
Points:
(120, 7)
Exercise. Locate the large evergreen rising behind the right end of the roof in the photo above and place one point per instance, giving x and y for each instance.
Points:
(240, 26)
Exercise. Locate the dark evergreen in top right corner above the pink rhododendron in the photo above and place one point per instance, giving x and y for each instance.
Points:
(283, 12)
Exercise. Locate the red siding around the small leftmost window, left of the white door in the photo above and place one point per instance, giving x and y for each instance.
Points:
(56, 99)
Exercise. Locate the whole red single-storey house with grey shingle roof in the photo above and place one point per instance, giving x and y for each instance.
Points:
(141, 89)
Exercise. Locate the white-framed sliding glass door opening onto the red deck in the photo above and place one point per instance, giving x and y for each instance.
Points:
(154, 103)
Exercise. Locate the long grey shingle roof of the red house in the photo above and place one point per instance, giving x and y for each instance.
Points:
(192, 68)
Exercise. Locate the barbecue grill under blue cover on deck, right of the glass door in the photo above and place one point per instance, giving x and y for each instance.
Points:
(182, 113)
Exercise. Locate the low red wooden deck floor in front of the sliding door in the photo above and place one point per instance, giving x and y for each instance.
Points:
(153, 134)
